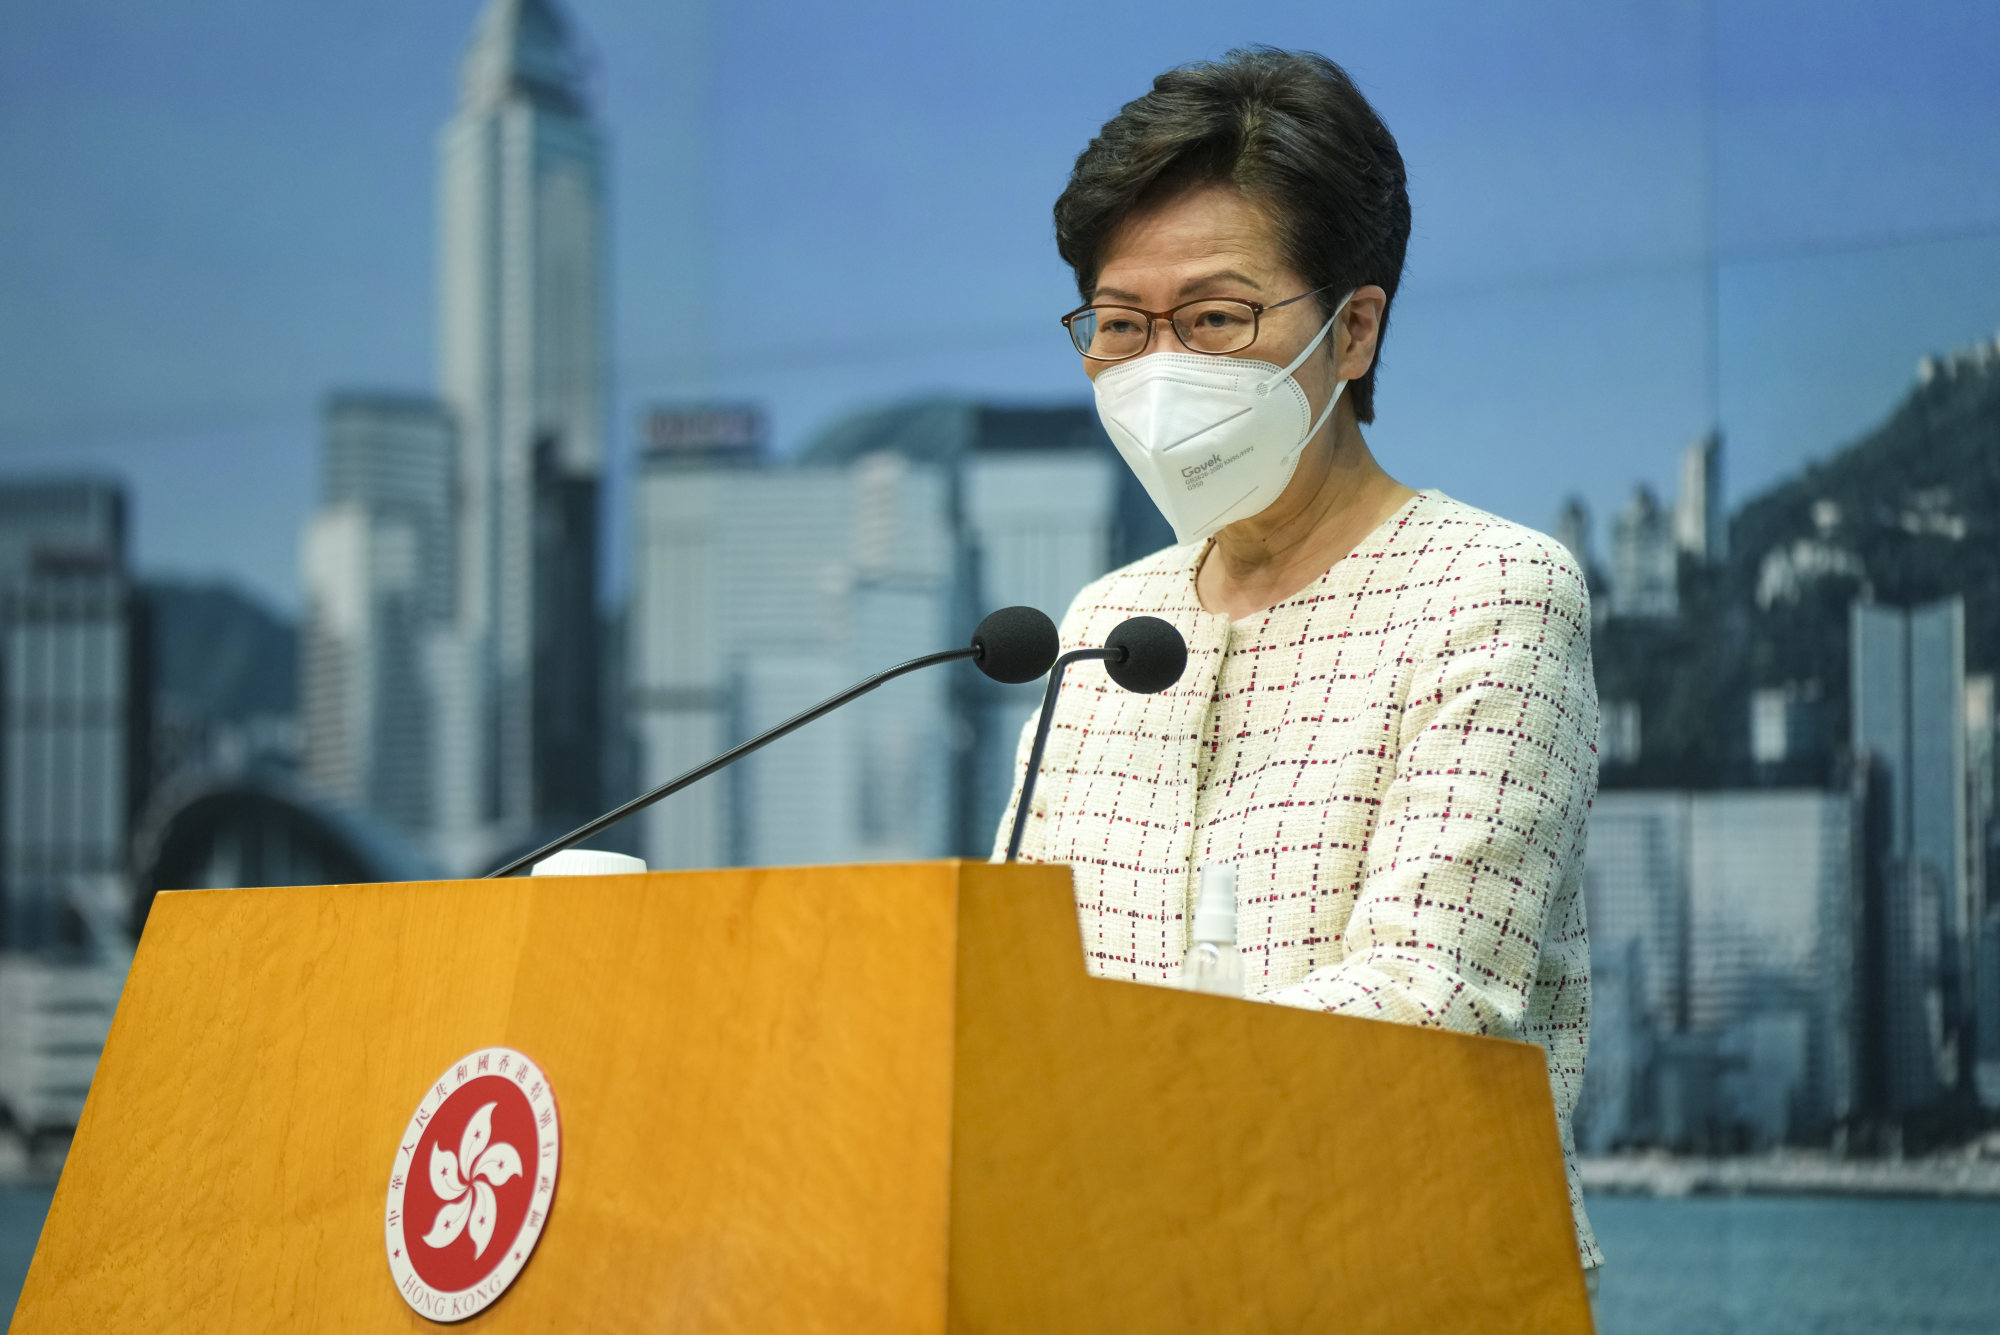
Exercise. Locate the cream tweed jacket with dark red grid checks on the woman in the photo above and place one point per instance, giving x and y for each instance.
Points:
(1409, 770)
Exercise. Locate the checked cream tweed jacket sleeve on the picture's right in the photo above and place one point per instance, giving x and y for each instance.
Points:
(1495, 774)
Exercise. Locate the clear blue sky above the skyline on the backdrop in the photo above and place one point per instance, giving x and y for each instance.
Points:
(215, 213)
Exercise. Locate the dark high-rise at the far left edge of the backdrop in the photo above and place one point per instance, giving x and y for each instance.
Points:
(71, 768)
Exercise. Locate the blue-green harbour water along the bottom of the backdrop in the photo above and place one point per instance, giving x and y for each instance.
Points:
(1689, 1266)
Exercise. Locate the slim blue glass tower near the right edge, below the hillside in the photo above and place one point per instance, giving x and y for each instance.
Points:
(1919, 924)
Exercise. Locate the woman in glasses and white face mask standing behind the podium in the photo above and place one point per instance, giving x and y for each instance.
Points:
(1389, 720)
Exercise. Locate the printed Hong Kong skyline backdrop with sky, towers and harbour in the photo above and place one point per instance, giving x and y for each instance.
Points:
(281, 603)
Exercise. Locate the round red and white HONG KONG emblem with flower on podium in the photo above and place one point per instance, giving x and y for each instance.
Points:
(473, 1184)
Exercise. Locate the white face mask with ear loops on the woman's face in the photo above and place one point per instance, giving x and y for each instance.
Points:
(1211, 439)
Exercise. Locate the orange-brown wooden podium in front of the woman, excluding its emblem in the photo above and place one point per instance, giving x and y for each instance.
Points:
(835, 1100)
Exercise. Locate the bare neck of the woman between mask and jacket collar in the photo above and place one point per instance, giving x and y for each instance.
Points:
(1337, 499)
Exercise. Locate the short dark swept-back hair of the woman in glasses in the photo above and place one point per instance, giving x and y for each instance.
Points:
(1287, 129)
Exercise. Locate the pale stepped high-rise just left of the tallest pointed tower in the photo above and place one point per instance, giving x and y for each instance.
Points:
(379, 597)
